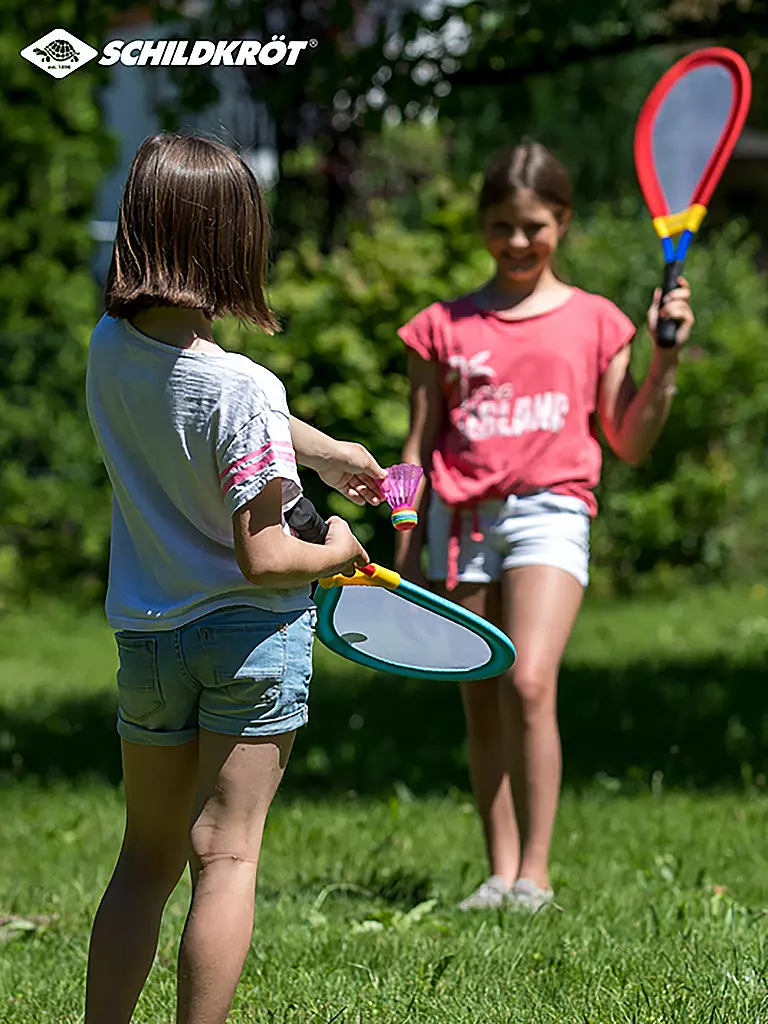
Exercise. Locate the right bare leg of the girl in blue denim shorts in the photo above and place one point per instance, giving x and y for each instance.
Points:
(238, 781)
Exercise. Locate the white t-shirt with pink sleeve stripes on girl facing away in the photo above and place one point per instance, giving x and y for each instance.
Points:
(188, 438)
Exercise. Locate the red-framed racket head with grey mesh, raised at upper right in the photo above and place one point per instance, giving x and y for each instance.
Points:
(689, 127)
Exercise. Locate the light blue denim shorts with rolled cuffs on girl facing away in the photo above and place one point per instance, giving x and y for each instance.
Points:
(238, 671)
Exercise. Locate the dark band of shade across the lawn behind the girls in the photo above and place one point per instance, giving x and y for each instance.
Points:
(701, 723)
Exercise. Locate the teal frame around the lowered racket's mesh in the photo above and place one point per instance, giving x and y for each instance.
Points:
(503, 653)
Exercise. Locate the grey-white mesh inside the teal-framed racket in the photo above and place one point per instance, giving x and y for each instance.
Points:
(388, 628)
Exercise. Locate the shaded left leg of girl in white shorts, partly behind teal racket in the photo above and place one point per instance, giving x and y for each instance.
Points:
(486, 749)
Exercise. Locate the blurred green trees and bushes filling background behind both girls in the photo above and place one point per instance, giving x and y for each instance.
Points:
(410, 238)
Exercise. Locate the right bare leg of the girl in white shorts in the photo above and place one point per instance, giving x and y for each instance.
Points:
(540, 606)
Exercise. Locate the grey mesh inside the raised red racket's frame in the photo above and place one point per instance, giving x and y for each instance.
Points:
(688, 129)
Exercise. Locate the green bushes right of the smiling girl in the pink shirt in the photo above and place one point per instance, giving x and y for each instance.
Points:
(698, 501)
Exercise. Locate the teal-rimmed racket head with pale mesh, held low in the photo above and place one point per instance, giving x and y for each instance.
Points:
(408, 631)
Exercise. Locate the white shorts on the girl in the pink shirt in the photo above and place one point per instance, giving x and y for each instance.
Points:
(538, 530)
